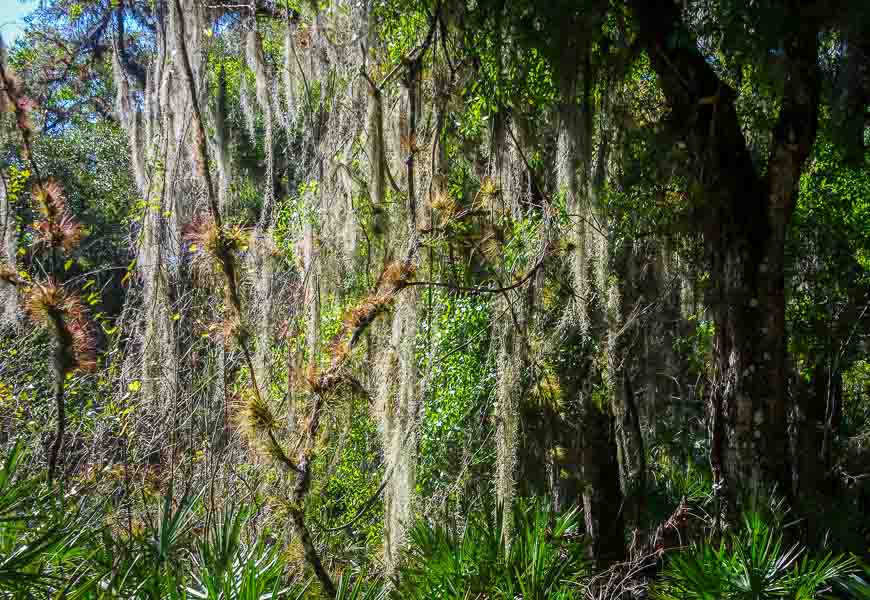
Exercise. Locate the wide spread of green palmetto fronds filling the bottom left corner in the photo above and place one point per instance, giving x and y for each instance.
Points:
(52, 542)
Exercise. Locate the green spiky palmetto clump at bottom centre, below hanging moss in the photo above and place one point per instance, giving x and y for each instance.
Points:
(544, 560)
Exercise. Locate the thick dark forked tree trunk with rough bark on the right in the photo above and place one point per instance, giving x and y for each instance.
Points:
(744, 226)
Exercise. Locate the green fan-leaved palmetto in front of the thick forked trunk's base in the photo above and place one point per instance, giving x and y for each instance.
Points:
(751, 563)
